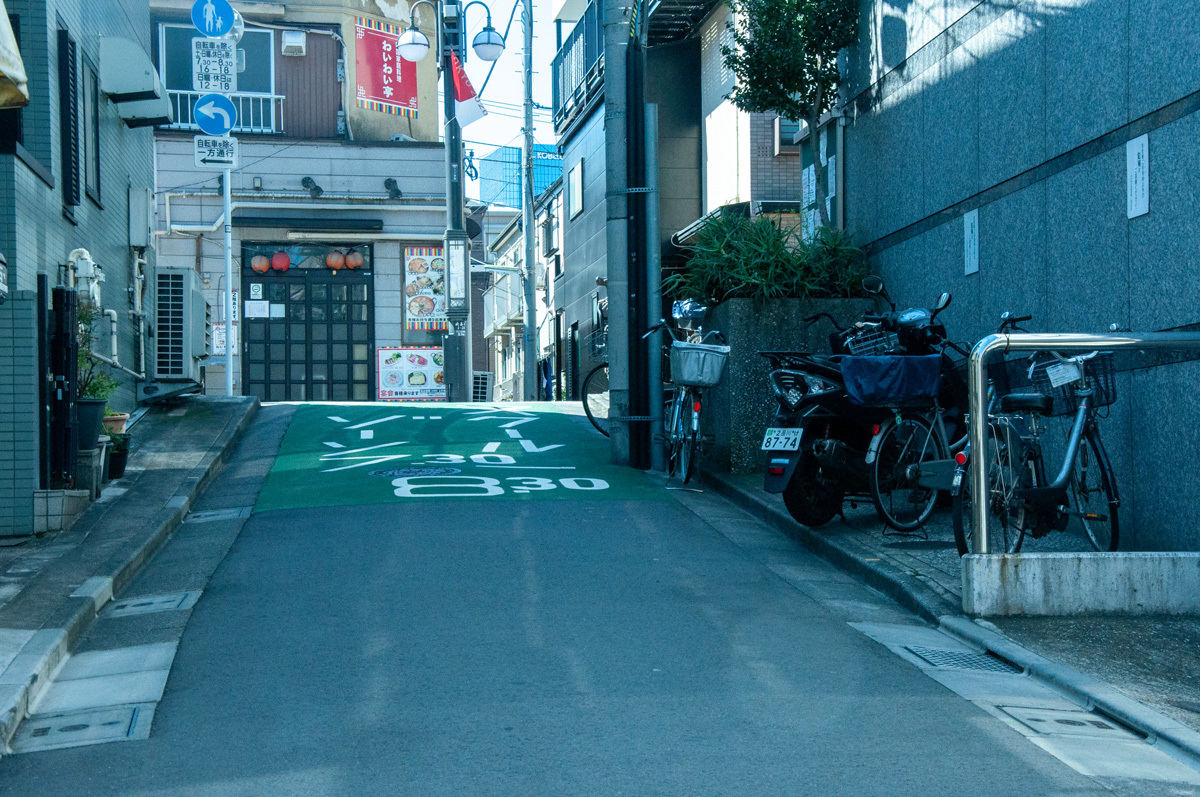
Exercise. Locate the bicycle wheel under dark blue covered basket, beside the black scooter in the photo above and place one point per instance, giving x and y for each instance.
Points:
(904, 448)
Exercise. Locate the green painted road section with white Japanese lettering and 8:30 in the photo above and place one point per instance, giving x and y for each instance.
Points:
(335, 456)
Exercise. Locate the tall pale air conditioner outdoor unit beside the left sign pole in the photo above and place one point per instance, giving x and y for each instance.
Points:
(183, 333)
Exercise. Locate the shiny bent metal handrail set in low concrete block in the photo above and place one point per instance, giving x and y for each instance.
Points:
(977, 388)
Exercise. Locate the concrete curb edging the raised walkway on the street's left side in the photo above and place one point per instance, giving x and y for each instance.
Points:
(23, 681)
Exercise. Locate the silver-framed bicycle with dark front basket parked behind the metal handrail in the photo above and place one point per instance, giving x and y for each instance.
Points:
(1022, 501)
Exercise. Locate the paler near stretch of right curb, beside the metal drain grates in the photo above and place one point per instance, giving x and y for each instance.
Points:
(1178, 739)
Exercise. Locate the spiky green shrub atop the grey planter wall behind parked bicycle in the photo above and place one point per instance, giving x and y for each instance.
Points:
(735, 257)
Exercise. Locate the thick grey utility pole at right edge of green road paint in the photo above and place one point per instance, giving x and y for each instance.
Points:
(616, 43)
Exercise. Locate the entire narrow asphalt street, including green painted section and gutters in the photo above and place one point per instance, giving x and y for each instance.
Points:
(435, 600)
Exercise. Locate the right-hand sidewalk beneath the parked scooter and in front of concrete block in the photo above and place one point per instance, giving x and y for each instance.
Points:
(1155, 661)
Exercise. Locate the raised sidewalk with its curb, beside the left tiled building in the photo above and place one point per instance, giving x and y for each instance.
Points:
(53, 588)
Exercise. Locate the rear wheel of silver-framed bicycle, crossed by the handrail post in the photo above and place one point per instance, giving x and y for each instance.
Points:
(1009, 470)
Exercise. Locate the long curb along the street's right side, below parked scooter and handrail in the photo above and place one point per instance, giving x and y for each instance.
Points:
(931, 604)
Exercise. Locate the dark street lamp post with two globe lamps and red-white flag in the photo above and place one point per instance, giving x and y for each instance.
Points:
(489, 45)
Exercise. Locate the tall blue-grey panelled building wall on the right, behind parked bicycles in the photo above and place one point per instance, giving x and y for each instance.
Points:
(1023, 112)
